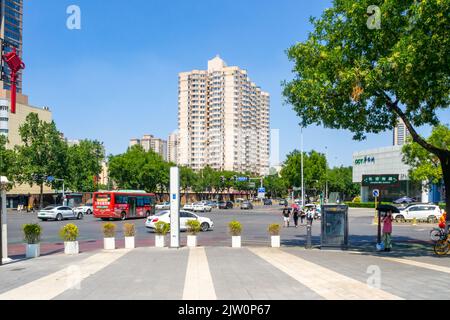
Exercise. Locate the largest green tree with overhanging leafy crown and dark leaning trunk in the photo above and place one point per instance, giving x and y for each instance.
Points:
(350, 76)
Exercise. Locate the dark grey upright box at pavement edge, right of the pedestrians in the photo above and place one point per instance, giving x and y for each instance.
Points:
(334, 227)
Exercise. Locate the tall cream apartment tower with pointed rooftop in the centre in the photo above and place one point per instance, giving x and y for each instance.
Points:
(223, 120)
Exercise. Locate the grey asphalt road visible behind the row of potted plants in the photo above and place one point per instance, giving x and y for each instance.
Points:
(255, 223)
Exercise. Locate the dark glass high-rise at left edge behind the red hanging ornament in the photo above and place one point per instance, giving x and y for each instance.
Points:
(11, 13)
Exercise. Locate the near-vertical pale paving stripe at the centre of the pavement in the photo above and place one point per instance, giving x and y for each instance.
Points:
(198, 284)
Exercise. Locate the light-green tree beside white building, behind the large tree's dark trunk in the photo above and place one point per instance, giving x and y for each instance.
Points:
(426, 166)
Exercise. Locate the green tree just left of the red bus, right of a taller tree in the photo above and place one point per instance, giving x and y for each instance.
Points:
(83, 164)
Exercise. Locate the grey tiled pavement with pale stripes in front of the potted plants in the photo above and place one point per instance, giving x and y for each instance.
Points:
(253, 273)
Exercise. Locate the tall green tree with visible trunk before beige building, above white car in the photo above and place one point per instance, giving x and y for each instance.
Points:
(43, 153)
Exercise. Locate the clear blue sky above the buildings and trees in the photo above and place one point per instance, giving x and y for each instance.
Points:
(116, 78)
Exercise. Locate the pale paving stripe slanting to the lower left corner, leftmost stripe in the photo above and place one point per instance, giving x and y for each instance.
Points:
(70, 278)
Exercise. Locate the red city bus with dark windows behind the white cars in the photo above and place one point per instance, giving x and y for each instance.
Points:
(123, 204)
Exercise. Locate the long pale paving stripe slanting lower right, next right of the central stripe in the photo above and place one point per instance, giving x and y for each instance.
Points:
(325, 282)
